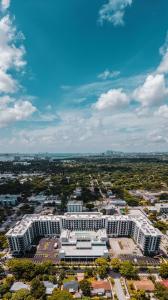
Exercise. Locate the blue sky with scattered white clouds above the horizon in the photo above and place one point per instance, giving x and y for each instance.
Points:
(83, 76)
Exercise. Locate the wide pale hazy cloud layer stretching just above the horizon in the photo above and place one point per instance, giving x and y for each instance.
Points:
(119, 131)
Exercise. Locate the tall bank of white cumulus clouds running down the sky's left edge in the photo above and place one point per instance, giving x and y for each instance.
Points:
(11, 61)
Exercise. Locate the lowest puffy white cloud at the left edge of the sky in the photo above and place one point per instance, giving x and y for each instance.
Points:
(12, 110)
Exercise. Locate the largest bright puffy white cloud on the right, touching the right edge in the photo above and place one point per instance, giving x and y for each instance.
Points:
(153, 91)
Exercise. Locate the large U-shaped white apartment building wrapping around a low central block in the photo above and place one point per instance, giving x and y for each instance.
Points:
(139, 228)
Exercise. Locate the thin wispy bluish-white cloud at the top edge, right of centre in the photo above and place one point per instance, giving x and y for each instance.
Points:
(113, 11)
